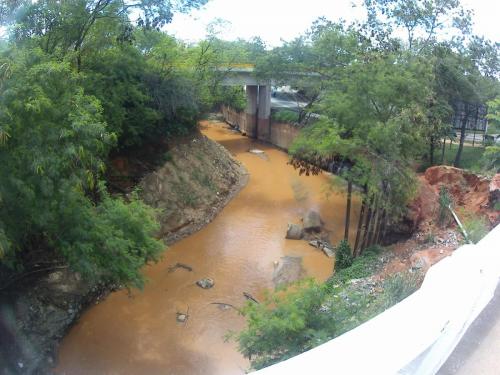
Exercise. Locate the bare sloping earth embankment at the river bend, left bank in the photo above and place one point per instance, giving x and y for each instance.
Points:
(191, 188)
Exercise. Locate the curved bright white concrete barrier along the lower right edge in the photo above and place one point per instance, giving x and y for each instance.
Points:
(417, 335)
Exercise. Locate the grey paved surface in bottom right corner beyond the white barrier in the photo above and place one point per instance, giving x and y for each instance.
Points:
(479, 351)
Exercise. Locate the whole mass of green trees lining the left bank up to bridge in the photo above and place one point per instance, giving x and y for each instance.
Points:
(81, 80)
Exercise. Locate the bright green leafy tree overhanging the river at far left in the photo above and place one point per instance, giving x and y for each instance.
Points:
(52, 197)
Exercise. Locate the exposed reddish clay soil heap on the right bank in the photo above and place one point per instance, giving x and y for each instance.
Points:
(430, 243)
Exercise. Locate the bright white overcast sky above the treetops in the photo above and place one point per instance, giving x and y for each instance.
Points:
(274, 20)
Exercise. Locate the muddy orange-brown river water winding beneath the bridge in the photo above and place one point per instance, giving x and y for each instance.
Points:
(139, 334)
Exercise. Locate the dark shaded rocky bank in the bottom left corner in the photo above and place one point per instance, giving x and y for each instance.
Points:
(35, 317)
